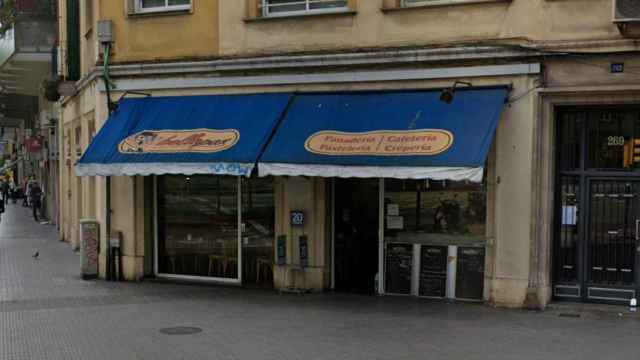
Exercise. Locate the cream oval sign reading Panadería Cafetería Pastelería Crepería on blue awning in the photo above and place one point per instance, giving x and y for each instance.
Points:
(380, 143)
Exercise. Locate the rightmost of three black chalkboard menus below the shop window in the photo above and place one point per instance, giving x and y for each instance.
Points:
(470, 273)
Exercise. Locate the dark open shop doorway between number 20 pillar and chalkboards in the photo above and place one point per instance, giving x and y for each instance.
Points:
(356, 235)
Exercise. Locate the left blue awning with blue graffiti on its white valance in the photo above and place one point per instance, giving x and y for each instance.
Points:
(221, 134)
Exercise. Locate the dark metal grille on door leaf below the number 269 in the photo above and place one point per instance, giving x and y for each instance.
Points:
(614, 223)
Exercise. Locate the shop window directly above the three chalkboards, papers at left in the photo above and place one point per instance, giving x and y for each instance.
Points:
(416, 207)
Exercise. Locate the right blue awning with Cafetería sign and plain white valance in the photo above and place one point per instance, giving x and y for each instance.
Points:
(410, 134)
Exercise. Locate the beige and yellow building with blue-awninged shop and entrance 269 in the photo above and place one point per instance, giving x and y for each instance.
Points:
(542, 207)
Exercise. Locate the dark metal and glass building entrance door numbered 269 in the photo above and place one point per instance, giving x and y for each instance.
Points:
(597, 234)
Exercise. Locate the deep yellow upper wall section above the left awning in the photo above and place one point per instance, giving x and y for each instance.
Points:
(163, 36)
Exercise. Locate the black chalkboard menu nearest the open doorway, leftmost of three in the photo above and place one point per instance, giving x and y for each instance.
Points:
(399, 261)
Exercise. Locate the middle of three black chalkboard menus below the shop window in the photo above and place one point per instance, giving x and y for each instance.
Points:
(433, 271)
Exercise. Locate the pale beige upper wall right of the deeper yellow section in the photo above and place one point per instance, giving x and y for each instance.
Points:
(371, 27)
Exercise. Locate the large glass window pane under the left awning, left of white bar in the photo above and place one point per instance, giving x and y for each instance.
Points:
(198, 226)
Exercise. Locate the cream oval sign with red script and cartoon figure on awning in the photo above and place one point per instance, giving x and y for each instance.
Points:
(179, 141)
